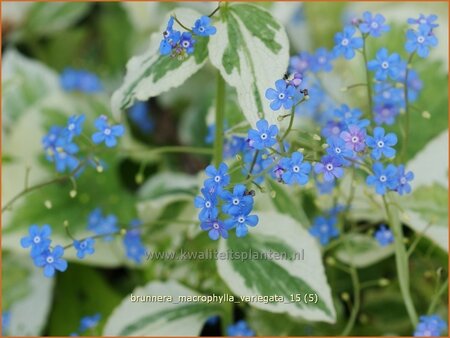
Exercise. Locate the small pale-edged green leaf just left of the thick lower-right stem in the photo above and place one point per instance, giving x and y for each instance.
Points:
(362, 251)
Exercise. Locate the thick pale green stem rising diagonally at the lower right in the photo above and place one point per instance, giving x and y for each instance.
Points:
(401, 260)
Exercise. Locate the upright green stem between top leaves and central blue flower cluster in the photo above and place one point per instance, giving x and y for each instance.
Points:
(220, 115)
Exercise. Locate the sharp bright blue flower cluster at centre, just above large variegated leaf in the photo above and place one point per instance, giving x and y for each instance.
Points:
(237, 204)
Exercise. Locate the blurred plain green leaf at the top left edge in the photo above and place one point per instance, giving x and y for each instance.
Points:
(47, 18)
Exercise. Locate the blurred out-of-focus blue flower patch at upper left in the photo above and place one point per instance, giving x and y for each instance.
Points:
(80, 80)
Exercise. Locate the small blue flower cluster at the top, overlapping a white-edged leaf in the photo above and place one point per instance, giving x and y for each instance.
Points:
(181, 45)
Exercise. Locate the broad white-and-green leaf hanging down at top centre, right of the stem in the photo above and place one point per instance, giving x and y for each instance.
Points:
(251, 51)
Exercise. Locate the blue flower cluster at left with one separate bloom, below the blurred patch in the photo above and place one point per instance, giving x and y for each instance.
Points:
(61, 149)
